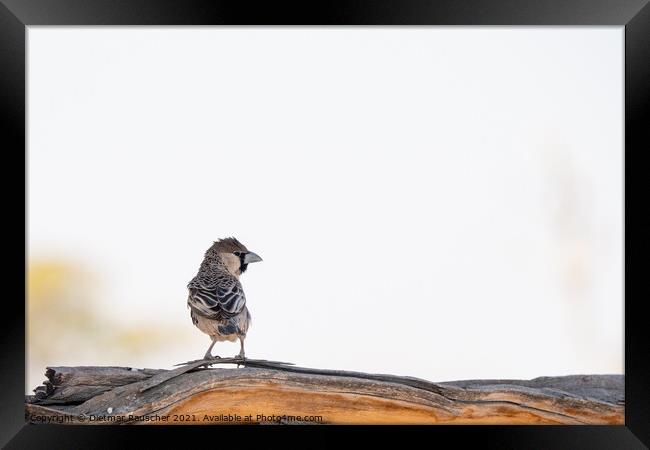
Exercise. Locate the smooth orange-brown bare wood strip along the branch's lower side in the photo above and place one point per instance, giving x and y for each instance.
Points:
(351, 408)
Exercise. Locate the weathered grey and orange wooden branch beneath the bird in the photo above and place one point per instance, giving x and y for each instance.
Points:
(275, 392)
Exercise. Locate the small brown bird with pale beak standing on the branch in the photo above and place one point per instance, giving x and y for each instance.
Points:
(216, 299)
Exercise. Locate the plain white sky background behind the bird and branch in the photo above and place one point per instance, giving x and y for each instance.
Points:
(445, 203)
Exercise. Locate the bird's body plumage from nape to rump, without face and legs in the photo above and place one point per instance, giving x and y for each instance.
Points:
(217, 300)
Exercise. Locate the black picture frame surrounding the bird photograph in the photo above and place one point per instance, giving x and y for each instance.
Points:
(634, 15)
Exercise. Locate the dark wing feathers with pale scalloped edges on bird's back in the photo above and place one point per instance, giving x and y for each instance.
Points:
(219, 299)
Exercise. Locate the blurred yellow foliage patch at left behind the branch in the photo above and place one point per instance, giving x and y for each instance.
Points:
(67, 323)
